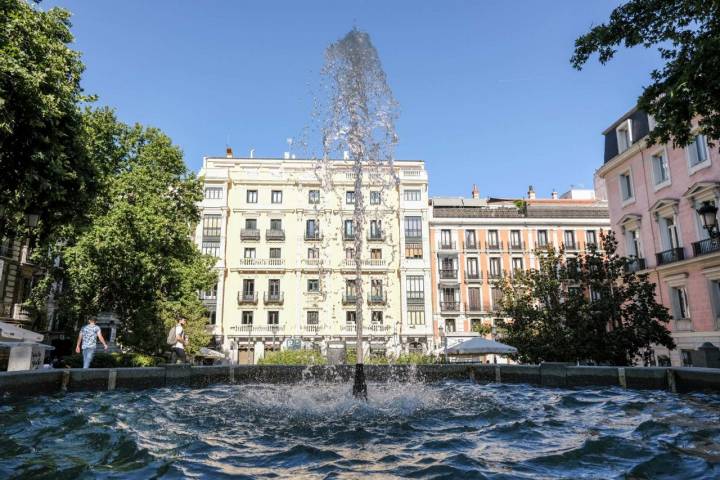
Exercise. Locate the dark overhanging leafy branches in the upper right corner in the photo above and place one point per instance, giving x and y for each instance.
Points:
(687, 35)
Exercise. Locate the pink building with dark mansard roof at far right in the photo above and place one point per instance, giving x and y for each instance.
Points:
(654, 192)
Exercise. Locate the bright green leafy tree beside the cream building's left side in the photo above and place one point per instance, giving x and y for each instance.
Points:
(133, 252)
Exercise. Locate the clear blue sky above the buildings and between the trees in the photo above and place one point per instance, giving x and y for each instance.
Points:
(485, 88)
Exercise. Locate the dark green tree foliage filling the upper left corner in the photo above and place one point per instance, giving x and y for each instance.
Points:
(45, 168)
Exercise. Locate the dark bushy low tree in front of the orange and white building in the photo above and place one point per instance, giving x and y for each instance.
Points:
(589, 309)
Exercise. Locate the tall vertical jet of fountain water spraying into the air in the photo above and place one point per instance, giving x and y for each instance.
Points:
(361, 113)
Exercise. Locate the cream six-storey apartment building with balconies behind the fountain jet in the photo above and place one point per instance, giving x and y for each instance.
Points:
(283, 234)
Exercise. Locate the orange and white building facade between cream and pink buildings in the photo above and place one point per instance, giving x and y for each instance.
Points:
(477, 241)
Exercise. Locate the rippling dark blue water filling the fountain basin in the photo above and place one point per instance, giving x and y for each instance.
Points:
(449, 430)
